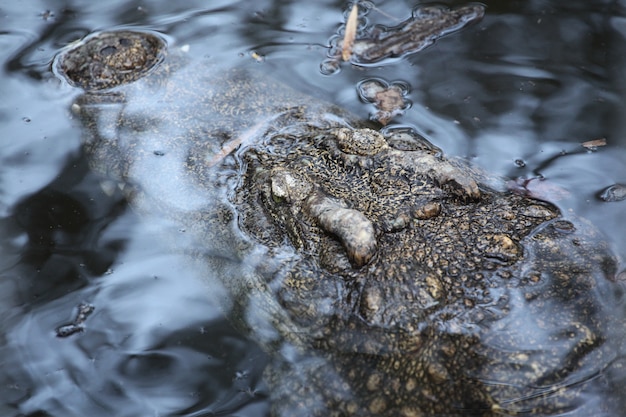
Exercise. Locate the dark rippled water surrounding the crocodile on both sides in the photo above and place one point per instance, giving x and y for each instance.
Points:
(516, 93)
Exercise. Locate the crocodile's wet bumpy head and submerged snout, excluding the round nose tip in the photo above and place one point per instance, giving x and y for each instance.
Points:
(387, 279)
